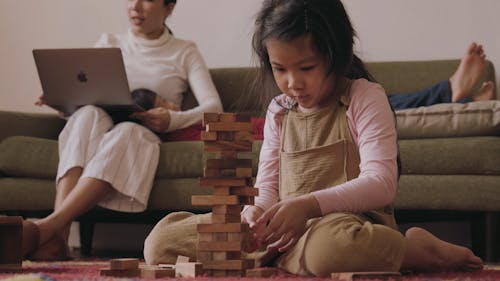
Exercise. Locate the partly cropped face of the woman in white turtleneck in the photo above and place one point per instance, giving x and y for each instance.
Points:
(147, 17)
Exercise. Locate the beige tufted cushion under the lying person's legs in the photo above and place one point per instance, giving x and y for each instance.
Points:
(450, 120)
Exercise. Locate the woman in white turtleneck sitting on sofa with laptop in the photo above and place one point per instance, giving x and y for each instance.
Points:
(114, 166)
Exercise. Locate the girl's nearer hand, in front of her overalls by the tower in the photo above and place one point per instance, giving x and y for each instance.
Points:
(286, 222)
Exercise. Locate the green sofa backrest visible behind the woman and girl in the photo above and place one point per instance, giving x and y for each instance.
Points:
(236, 86)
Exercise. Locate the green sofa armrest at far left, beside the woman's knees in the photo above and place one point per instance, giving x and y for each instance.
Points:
(30, 124)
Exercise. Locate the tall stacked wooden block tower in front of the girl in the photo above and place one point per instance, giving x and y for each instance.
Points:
(221, 242)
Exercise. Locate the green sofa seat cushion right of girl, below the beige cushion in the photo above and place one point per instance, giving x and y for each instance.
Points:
(451, 156)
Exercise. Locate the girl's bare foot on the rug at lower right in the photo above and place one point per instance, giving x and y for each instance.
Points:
(426, 252)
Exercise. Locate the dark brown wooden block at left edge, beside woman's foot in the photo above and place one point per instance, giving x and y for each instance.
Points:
(11, 240)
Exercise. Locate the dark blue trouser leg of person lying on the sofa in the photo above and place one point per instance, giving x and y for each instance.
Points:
(438, 93)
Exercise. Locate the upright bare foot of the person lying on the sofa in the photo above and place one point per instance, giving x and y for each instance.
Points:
(468, 72)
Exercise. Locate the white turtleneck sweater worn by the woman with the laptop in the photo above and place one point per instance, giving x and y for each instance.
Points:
(168, 66)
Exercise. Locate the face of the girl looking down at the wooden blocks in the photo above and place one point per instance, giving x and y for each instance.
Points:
(299, 71)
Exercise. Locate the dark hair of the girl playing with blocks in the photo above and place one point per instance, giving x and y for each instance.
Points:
(326, 21)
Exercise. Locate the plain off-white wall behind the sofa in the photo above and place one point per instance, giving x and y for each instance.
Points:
(388, 30)
